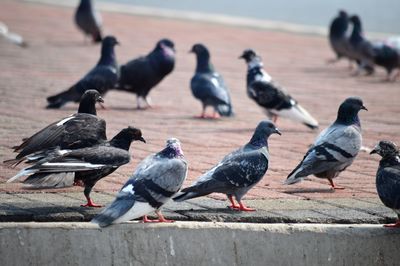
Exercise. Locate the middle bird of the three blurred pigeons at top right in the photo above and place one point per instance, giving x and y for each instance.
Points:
(360, 49)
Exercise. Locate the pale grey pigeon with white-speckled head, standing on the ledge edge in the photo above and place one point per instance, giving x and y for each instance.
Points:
(156, 179)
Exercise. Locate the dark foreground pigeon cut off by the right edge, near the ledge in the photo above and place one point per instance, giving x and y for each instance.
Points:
(388, 177)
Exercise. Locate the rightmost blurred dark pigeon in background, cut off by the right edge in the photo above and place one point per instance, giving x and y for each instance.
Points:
(388, 58)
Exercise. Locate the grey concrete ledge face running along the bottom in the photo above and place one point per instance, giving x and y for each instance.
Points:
(193, 243)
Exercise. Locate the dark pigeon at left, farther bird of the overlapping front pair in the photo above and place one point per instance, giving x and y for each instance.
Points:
(83, 129)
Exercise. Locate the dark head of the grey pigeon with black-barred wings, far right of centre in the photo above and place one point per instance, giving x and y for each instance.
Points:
(348, 111)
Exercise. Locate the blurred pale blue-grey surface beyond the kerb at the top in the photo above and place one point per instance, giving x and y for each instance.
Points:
(378, 15)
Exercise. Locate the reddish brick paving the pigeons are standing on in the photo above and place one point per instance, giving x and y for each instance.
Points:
(57, 57)
